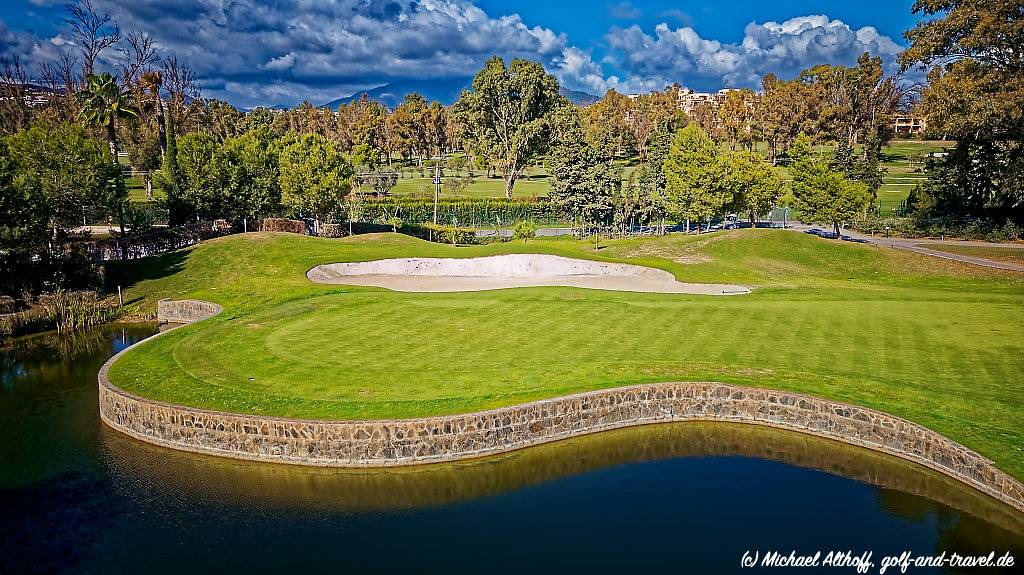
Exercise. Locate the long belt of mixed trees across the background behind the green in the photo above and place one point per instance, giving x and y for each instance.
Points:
(215, 161)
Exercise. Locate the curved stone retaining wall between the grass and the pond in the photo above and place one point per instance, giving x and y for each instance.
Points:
(446, 438)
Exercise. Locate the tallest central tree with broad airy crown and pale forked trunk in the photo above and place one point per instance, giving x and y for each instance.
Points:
(511, 108)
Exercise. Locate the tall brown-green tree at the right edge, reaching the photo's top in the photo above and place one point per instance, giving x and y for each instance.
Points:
(975, 95)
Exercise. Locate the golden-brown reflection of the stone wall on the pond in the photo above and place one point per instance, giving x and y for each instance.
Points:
(356, 491)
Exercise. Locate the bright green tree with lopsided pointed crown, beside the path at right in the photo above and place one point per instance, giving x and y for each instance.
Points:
(822, 195)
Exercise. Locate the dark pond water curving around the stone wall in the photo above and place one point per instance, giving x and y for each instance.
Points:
(78, 498)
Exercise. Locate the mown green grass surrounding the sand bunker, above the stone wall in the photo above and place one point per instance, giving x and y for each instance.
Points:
(934, 341)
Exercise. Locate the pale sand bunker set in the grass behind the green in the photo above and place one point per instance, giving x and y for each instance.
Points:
(517, 271)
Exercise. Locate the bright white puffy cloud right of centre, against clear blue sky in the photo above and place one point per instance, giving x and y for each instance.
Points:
(784, 49)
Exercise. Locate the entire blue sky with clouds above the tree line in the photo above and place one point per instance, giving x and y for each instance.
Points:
(285, 52)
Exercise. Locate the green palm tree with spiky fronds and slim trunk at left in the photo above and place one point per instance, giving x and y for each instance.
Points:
(104, 104)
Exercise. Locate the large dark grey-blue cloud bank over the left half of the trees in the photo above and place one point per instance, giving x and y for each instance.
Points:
(303, 48)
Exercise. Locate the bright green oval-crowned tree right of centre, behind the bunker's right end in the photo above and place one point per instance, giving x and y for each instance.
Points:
(694, 178)
